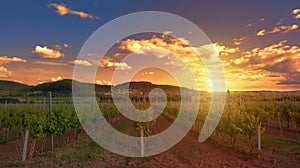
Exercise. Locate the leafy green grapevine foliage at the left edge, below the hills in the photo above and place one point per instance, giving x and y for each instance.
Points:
(38, 121)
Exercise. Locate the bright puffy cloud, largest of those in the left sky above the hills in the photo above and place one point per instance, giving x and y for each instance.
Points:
(46, 52)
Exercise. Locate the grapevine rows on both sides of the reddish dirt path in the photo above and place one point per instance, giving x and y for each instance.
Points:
(244, 120)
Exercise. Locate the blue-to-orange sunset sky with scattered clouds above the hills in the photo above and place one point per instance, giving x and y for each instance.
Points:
(256, 41)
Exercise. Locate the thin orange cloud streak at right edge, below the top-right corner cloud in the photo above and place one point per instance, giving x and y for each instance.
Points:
(278, 29)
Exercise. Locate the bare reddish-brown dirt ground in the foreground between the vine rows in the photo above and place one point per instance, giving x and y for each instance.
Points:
(187, 153)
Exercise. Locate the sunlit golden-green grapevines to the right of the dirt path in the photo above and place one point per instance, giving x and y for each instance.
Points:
(246, 116)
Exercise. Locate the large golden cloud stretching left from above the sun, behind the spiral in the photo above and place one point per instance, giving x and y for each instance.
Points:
(165, 46)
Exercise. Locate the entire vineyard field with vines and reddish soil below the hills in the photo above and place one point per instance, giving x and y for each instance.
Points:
(233, 144)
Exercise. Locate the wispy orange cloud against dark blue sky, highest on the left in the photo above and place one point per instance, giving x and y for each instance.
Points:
(62, 10)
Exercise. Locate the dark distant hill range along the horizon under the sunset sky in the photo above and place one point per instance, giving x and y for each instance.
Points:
(63, 88)
